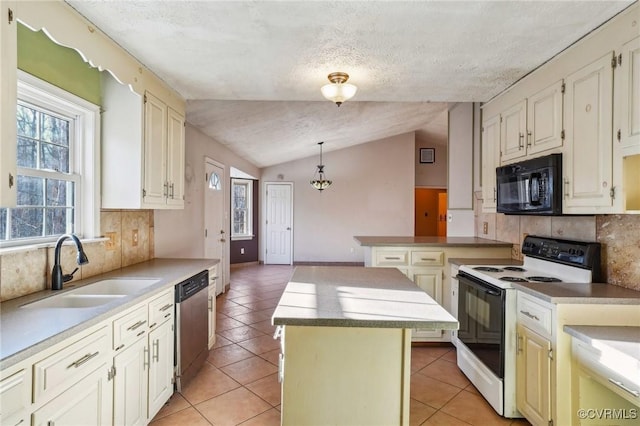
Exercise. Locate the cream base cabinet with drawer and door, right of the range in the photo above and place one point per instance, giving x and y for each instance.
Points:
(544, 359)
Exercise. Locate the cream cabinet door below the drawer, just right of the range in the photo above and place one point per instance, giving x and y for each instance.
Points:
(533, 376)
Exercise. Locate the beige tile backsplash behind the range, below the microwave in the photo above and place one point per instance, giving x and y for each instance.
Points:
(618, 234)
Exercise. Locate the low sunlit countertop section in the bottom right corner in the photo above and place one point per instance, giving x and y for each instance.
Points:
(619, 340)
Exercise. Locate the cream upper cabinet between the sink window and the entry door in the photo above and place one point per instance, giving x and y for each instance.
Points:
(143, 136)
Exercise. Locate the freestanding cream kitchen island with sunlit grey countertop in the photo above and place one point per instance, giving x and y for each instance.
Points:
(346, 344)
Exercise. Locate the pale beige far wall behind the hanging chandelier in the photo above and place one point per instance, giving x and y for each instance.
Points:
(372, 194)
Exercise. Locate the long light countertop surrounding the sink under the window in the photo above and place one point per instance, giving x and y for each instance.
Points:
(25, 332)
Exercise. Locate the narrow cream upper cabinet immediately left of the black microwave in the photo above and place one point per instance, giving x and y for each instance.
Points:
(490, 160)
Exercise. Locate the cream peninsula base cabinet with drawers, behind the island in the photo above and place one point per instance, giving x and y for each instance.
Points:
(426, 266)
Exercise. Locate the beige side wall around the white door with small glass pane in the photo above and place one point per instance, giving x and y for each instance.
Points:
(180, 233)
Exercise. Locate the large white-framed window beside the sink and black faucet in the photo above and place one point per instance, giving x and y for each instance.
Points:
(57, 189)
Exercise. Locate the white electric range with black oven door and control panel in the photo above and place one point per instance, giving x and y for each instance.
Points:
(486, 348)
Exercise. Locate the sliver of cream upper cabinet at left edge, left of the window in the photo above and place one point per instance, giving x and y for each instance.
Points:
(8, 95)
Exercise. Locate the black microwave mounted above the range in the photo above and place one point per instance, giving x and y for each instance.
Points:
(530, 187)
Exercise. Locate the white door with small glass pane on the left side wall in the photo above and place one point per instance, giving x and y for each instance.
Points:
(215, 239)
